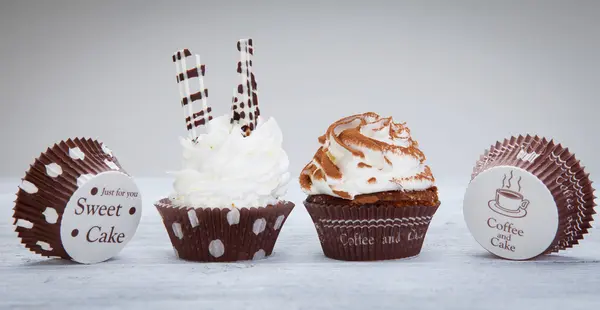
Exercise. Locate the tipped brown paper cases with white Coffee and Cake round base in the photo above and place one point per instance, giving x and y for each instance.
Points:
(528, 196)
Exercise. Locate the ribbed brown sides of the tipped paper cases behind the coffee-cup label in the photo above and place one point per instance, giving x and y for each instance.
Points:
(562, 174)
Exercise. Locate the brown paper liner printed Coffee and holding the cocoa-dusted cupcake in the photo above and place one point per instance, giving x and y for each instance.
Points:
(370, 233)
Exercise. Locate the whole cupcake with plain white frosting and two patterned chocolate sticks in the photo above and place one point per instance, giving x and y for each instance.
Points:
(226, 204)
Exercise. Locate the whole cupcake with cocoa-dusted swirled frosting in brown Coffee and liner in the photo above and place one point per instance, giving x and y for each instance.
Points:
(370, 194)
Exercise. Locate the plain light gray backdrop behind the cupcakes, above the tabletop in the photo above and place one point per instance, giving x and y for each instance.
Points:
(462, 74)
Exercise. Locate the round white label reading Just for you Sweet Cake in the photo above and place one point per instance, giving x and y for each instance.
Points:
(101, 217)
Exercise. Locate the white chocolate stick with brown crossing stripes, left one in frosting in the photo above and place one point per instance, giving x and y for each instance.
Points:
(195, 116)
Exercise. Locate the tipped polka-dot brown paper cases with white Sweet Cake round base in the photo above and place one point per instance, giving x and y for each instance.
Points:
(76, 202)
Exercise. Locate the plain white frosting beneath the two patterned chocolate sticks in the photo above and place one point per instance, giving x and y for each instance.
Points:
(224, 169)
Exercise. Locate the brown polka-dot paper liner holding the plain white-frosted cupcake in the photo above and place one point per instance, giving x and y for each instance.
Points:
(223, 234)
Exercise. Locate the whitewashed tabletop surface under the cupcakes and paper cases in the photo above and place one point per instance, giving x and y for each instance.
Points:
(452, 272)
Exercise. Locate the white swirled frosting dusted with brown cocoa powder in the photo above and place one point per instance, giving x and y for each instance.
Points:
(364, 154)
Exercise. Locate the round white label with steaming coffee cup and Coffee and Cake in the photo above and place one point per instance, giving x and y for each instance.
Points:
(511, 213)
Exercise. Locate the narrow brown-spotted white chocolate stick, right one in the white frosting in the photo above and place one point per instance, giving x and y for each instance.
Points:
(245, 100)
